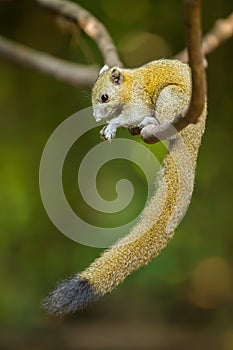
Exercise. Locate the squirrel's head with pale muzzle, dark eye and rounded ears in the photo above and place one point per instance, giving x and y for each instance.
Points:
(107, 93)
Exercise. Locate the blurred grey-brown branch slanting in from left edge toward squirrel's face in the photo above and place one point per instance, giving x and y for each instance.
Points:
(72, 73)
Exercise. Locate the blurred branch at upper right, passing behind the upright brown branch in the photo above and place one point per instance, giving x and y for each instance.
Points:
(221, 31)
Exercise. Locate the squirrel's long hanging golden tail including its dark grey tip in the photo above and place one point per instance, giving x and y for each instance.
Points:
(146, 240)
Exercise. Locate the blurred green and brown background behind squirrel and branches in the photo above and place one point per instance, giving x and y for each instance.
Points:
(183, 299)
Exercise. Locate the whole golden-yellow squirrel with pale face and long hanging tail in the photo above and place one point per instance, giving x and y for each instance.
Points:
(140, 98)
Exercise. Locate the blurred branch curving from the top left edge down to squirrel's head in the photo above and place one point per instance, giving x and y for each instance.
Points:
(89, 24)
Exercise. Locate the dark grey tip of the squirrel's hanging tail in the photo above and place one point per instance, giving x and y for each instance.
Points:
(70, 296)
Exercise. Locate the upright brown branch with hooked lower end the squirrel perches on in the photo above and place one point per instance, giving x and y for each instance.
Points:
(193, 37)
